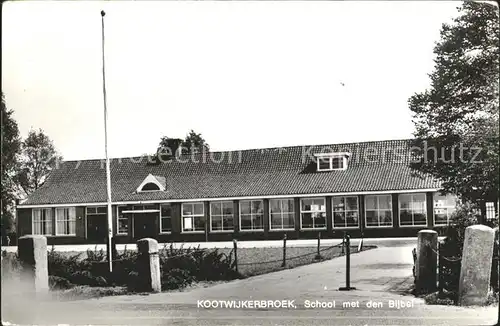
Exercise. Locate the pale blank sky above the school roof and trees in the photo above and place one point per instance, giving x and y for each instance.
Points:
(243, 74)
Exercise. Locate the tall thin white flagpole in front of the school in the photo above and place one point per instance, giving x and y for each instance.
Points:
(109, 247)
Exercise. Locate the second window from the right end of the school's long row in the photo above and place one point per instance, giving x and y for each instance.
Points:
(412, 210)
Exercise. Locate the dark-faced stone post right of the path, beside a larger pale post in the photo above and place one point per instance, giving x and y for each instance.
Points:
(426, 264)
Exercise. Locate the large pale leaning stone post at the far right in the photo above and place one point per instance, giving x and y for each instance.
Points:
(475, 272)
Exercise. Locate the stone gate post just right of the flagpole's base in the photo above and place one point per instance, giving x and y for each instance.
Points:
(149, 265)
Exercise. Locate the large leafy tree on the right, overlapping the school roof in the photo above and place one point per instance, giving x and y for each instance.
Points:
(456, 120)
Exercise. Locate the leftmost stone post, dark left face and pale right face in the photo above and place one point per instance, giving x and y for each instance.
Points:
(32, 251)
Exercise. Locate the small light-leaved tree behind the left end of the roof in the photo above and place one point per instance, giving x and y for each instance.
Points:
(38, 158)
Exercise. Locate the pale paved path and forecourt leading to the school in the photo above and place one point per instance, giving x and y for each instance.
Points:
(377, 274)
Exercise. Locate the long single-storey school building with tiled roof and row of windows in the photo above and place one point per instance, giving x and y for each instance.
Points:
(367, 189)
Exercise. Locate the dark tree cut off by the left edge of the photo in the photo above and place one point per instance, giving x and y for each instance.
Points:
(10, 148)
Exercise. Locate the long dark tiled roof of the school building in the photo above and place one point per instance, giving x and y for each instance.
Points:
(373, 166)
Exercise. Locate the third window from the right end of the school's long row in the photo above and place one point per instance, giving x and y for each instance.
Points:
(378, 211)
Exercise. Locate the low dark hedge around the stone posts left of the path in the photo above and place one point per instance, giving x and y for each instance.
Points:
(179, 268)
